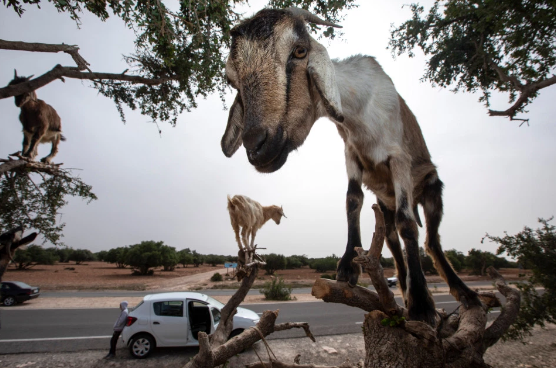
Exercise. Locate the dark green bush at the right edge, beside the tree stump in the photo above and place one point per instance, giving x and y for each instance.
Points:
(537, 249)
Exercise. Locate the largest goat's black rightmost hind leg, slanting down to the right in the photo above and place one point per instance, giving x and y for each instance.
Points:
(431, 200)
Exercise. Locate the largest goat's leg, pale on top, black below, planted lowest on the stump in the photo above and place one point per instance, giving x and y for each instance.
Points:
(420, 304)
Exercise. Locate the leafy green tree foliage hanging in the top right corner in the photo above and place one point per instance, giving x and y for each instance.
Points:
(485, 45)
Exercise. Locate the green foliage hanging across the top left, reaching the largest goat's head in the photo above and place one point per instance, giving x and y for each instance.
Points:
(180, 49)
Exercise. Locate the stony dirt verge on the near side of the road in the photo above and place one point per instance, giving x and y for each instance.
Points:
(538, 351)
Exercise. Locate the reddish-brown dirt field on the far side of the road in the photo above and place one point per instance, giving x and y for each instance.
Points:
(105, 276)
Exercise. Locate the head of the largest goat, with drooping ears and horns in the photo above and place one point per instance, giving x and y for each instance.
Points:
(282, 74)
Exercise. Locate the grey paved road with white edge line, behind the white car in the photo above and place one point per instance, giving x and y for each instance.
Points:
(54, 330)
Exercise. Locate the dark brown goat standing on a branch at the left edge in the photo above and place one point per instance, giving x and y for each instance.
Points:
(41, 123)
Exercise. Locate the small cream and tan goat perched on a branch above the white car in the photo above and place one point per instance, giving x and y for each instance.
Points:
(250, 216)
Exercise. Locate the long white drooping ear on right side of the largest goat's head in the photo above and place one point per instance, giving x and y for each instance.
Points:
(322, 74)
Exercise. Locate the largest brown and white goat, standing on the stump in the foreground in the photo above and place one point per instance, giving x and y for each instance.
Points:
(286, 81)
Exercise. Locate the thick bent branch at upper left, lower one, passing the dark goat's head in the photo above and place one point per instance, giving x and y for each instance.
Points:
(70, 72)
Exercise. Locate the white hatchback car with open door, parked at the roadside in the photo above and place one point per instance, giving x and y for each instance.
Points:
(175, 319)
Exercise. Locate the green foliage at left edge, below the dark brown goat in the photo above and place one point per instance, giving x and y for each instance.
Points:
(35, 199)
